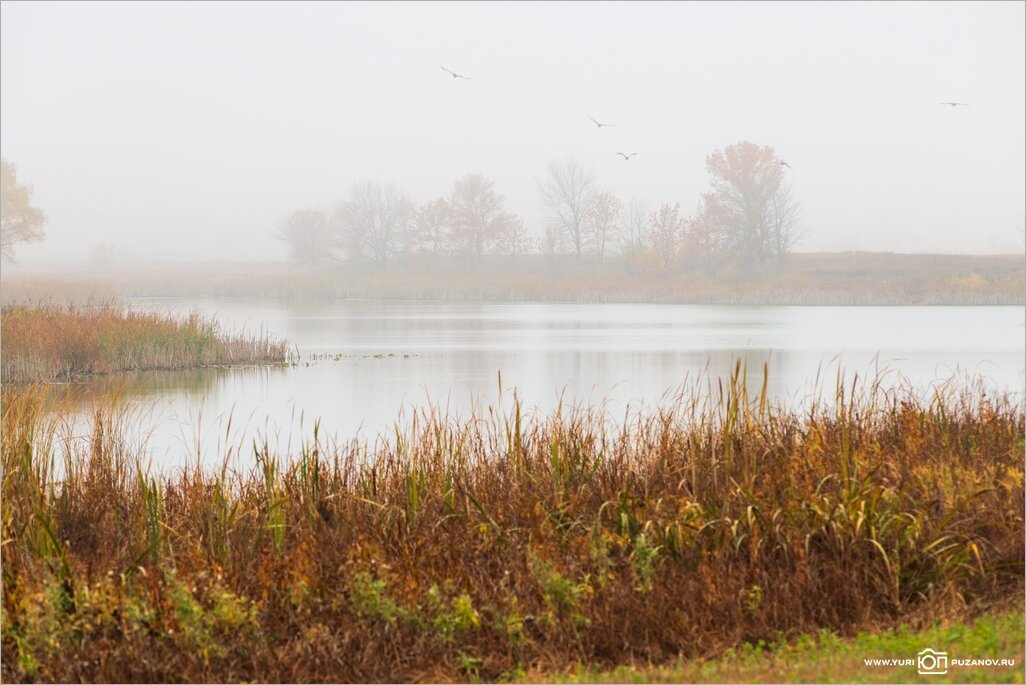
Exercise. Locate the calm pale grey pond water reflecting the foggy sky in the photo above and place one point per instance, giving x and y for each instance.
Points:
(362, 362)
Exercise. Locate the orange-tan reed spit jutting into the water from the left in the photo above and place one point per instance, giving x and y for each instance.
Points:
(48, 342)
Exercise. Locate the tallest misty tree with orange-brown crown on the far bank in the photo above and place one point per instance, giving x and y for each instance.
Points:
(745, 178)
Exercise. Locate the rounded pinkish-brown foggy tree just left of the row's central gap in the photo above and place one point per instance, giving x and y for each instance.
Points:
(479, 223)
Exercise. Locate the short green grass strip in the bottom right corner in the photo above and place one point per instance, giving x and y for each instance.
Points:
(827, 658)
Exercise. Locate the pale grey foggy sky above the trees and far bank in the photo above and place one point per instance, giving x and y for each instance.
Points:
(190, 131)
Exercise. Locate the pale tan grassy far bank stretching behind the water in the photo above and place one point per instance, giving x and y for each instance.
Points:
(849, 278)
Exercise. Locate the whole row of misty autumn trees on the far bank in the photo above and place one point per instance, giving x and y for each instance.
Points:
(749, 218)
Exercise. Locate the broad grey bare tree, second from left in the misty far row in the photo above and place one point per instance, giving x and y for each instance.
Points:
(375, 222)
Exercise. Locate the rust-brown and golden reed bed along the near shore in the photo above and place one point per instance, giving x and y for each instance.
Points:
(507, 544)
